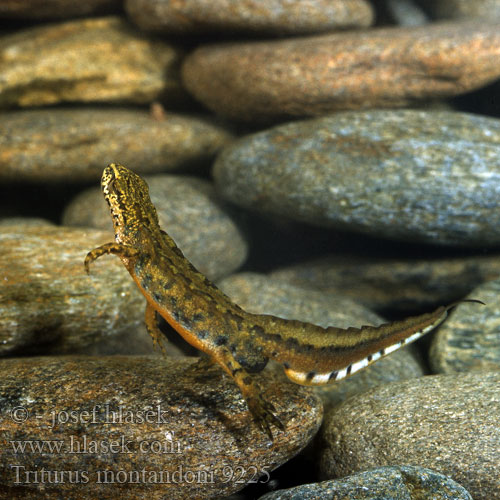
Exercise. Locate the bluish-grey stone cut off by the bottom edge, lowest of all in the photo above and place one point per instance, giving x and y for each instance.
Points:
(394, 483)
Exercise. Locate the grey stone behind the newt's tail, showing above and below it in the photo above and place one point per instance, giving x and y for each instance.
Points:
(263, 295)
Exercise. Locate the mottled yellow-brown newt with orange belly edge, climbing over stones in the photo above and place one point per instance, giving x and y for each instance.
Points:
(242, 343)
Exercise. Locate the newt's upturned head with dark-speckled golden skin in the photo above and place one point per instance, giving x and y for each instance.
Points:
(128, 198)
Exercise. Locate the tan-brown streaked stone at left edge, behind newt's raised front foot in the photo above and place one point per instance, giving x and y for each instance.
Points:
(47, 299)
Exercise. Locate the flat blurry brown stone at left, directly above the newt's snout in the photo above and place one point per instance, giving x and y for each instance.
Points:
(73, 145)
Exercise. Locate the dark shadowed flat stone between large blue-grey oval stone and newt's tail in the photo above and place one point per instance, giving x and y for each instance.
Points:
(394, 284)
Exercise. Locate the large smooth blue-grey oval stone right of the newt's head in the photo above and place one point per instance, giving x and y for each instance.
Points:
(409, 175)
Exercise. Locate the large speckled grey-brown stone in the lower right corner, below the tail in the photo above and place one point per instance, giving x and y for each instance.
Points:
(448, 423)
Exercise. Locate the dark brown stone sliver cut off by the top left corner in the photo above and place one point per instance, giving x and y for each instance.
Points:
(55, 9)
